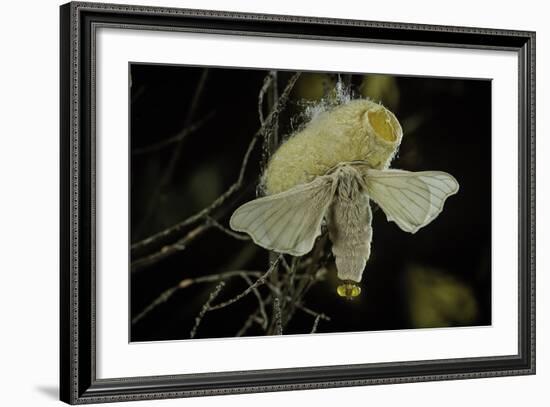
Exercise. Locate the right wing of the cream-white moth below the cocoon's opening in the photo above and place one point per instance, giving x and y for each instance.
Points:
(410, 199)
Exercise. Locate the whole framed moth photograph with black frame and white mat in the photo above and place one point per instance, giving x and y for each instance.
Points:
(256, 203)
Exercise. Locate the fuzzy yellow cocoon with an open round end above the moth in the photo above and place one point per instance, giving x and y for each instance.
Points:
(360, 130)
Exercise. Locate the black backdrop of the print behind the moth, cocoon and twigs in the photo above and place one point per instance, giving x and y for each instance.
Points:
(440, 276)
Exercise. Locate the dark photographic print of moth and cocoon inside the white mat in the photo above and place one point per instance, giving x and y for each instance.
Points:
(270, 202)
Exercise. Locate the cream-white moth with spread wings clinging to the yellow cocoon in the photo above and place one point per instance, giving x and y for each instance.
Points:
(290, 221)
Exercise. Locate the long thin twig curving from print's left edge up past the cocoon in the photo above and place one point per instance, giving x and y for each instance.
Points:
(178, 227)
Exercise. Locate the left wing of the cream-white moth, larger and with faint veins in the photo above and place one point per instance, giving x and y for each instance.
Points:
(287, 222)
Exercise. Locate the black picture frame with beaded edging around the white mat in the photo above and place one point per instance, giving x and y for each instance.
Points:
(78, 382)
